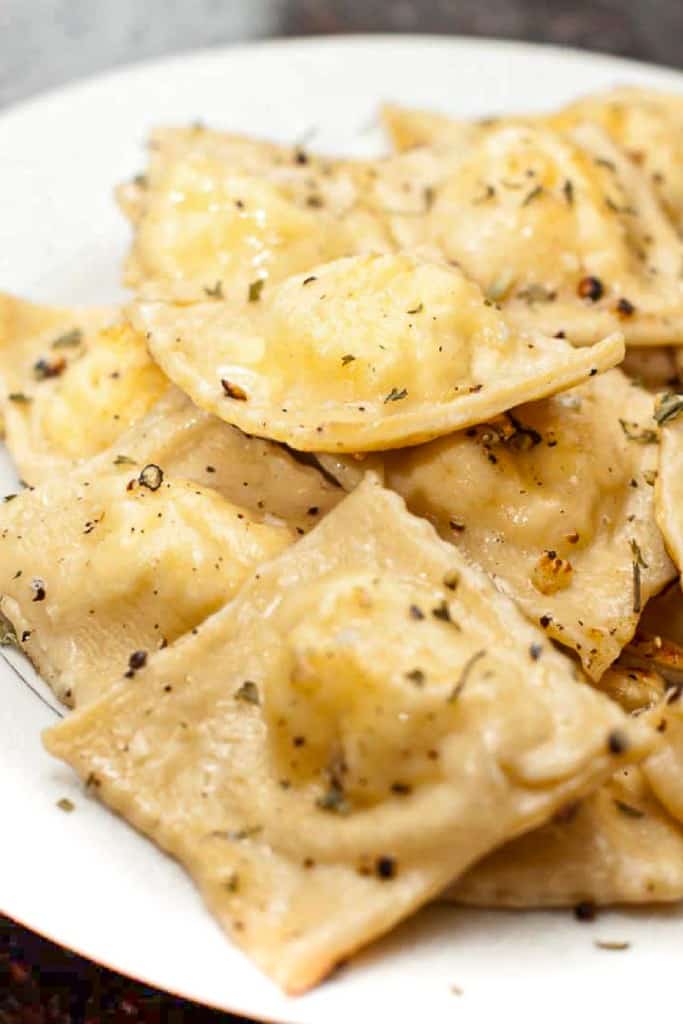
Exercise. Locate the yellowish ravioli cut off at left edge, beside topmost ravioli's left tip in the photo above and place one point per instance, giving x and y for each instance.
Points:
(73, 381)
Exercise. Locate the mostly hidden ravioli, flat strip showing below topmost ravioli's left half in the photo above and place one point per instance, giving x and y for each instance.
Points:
(258, 475)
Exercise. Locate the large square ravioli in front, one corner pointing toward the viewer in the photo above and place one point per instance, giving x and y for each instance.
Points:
(267, 755)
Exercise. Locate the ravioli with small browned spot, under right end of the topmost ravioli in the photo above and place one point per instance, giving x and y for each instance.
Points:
(556, 501)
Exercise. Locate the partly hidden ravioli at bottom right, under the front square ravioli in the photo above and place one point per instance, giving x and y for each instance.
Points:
(617, 846)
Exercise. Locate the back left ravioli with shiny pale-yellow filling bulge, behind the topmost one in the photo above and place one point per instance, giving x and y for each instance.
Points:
(217, 215)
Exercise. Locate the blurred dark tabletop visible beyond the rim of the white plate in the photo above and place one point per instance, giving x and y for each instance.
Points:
(45, 44)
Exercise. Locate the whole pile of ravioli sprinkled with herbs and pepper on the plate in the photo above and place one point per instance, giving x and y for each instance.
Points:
(354, 541)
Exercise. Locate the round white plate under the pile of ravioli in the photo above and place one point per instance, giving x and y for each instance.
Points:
(87, 880)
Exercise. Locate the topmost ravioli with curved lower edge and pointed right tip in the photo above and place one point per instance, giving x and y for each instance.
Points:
(362, 354)
